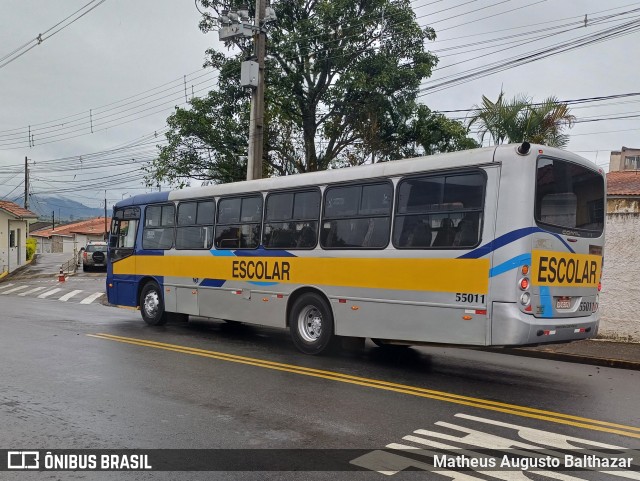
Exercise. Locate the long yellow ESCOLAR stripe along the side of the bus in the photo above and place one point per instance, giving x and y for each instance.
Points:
(438, 275)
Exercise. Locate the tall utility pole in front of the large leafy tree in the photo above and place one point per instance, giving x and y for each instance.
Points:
(256, 121)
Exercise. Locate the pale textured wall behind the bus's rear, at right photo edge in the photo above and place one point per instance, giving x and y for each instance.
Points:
(620, 296)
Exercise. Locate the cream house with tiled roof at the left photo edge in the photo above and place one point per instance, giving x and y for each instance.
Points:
(14, 228)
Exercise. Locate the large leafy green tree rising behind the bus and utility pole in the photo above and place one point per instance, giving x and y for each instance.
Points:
(341, 83)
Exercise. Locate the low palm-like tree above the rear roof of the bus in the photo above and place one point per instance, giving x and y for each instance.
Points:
(520, 119)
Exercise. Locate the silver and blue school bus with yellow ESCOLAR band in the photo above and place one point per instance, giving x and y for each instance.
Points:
(498, 246)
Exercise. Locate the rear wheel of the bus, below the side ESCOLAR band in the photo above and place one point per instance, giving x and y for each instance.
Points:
(311, 323)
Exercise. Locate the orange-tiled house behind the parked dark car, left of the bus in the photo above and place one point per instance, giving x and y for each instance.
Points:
(71, 238)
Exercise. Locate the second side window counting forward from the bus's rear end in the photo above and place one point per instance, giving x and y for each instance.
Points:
(357, 216)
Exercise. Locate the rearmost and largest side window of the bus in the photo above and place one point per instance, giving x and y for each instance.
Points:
(439, 211)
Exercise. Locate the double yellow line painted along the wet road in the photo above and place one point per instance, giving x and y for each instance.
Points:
(523, 411)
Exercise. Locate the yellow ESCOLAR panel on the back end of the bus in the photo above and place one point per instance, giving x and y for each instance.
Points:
(549, 268)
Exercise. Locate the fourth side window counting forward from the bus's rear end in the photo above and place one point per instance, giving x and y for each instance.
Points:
(239, 222)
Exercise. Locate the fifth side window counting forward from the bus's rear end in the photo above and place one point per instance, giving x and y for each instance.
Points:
(195, 225)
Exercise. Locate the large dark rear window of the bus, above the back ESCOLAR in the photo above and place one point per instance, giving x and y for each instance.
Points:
(569, 196)
